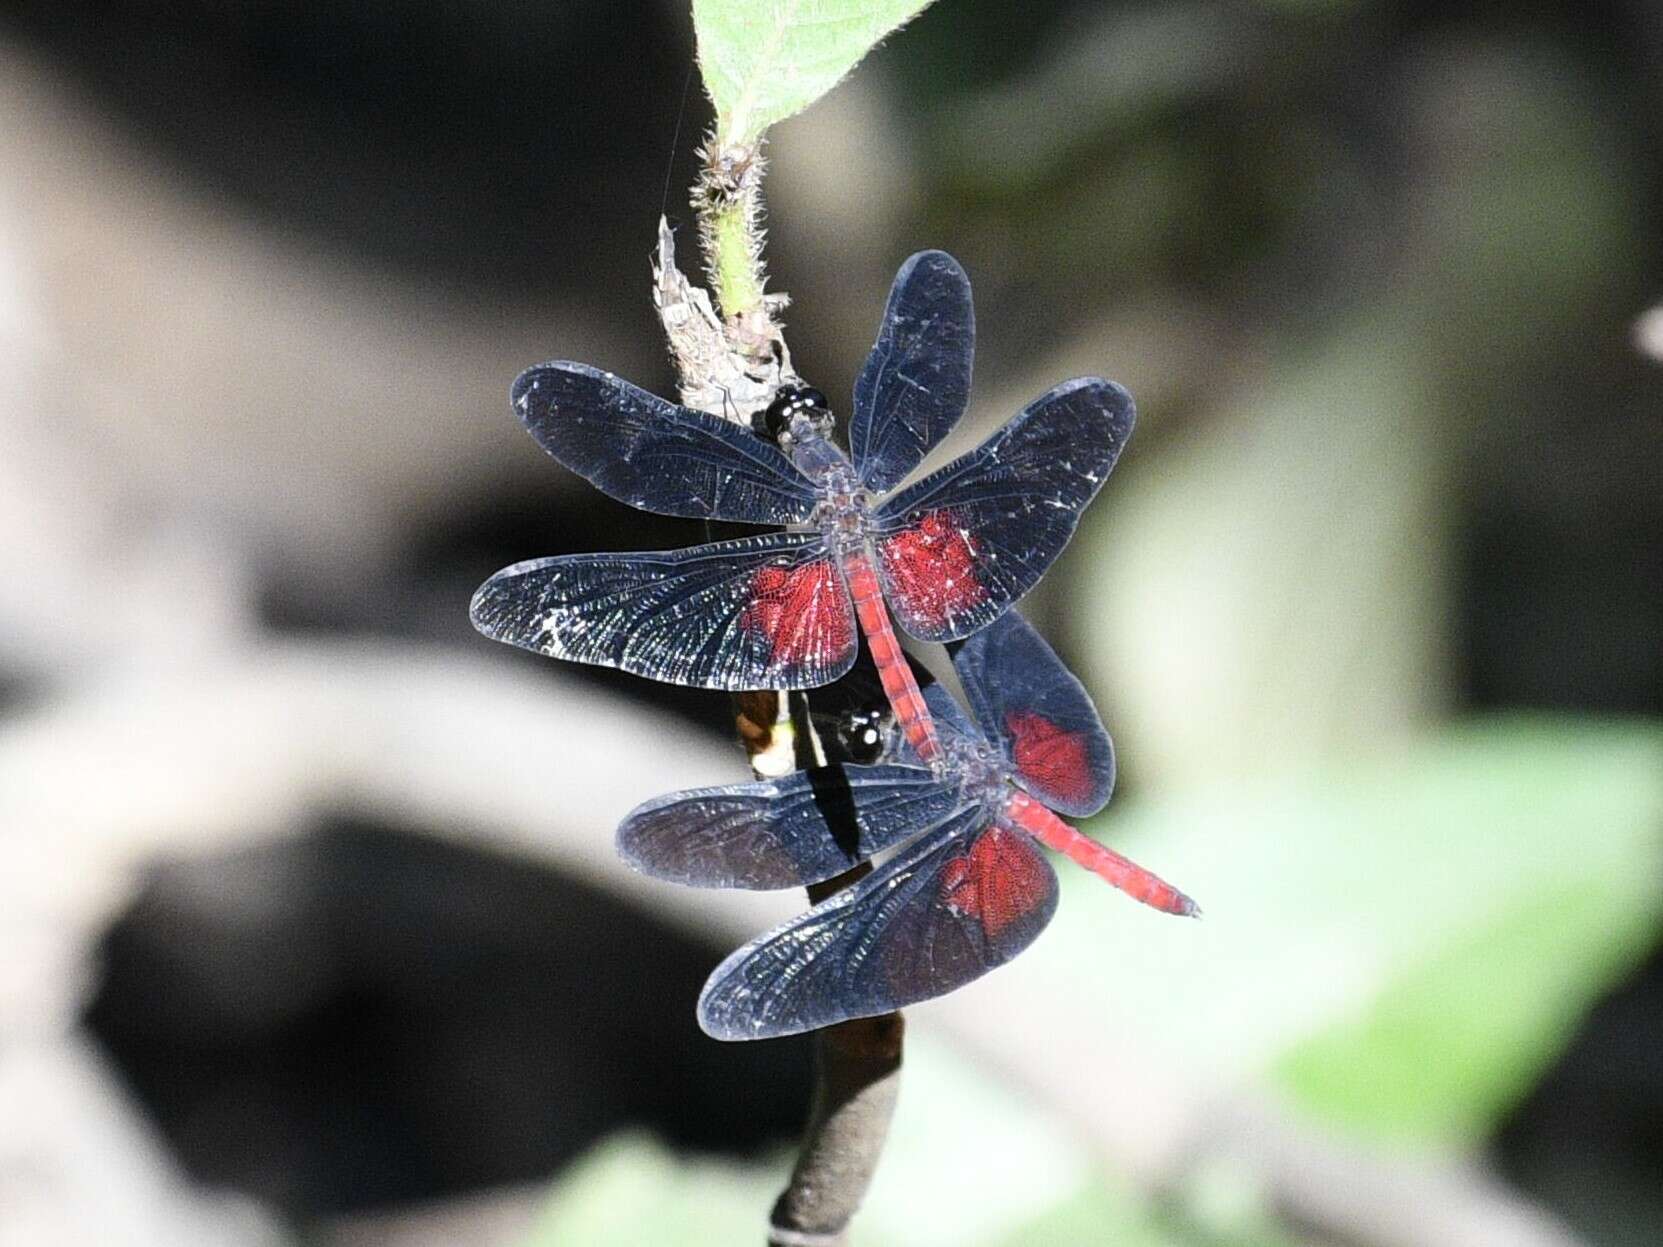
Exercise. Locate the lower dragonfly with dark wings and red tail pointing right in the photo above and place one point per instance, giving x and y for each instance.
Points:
(969, 889)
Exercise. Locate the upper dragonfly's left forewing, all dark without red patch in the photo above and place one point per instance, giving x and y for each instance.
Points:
(654, 455)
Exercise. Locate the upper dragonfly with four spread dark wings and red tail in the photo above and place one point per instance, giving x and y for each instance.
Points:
(950, 553)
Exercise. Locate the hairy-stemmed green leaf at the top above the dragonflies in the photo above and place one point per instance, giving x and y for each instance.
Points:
(766, 61)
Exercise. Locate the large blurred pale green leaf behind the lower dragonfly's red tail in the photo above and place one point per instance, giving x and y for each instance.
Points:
(1399, 947)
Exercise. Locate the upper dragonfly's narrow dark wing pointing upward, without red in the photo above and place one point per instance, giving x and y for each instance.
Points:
(917, 380)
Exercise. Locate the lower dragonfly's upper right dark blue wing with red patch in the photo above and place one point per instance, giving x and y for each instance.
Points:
(1040, 714)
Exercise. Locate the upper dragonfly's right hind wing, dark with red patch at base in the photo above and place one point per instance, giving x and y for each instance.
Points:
(962, 545)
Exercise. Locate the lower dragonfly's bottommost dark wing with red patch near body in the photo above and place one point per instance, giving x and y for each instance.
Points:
(939, 915)
